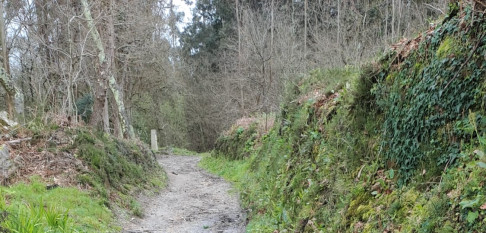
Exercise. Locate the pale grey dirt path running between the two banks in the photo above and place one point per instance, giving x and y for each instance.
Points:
(194, 201)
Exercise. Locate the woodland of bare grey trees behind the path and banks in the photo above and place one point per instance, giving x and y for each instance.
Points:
(123, 66)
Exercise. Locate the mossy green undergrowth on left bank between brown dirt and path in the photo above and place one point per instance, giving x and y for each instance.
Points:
(119, 169)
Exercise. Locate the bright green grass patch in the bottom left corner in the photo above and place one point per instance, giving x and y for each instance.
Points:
(33, 208)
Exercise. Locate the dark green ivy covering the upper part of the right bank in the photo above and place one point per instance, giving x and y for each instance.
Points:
(428, 96)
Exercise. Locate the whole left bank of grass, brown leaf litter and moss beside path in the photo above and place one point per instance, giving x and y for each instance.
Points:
(63, 177)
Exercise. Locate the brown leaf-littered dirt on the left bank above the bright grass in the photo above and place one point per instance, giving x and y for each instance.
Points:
(48, 156)
